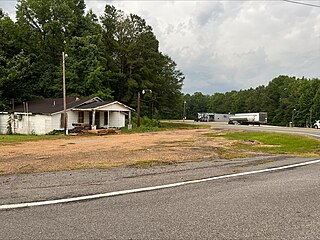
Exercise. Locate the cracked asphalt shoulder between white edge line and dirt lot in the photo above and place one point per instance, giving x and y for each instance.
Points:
(19, 188)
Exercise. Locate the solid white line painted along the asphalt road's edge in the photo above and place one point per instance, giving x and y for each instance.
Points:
(146, 189)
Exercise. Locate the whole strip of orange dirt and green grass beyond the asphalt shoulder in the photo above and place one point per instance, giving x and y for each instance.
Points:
(145, 149)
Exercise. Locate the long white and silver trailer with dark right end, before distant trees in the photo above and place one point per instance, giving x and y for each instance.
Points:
(249, 118)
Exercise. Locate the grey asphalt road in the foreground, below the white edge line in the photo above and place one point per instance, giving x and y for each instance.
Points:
(276, 205)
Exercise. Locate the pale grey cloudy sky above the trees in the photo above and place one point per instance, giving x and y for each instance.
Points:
(229, 45)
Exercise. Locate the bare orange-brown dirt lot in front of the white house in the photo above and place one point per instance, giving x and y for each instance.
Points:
(111, 150)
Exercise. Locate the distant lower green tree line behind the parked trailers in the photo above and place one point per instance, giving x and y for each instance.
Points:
(285, 99)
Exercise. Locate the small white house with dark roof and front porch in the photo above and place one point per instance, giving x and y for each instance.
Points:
(45, 115)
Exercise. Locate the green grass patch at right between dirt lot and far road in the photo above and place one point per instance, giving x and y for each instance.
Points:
(276, 143)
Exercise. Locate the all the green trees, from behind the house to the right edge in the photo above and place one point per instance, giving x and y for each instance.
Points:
(114, 56)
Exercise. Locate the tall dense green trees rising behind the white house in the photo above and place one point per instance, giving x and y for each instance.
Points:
(112, 56)
